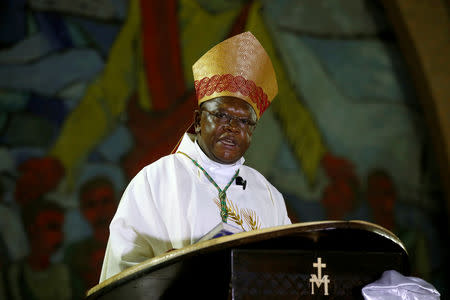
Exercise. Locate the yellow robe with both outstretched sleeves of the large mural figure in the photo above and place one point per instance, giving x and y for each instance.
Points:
(106, 97)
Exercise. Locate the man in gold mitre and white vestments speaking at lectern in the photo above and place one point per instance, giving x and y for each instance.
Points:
(174, 201)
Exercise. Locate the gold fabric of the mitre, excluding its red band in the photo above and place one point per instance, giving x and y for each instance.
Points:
(240, 55)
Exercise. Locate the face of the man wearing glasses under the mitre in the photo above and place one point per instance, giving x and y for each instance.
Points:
(223, 140)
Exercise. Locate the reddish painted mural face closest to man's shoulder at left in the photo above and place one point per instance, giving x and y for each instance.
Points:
(98, 205)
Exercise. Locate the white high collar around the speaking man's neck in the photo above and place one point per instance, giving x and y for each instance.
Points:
(221, 173)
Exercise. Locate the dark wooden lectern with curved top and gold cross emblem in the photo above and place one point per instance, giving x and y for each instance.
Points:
(316, 260)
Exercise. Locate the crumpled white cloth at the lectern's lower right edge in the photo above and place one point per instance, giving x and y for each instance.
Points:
(394, 286)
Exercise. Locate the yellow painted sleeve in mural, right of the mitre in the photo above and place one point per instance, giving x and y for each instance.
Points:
(299, 127)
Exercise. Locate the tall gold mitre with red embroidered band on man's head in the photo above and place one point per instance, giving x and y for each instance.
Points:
(238, 67)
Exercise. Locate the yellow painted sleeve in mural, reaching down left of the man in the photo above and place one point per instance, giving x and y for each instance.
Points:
(106, 98)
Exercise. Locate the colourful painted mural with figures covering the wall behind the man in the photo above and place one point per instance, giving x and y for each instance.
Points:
(92, 91)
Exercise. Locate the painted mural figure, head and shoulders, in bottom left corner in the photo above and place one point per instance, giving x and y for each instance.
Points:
(36, 277)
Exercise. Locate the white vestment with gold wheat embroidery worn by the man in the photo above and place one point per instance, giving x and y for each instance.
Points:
(171, 204)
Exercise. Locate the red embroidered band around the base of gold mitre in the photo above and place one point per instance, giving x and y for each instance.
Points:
(227, 82)
